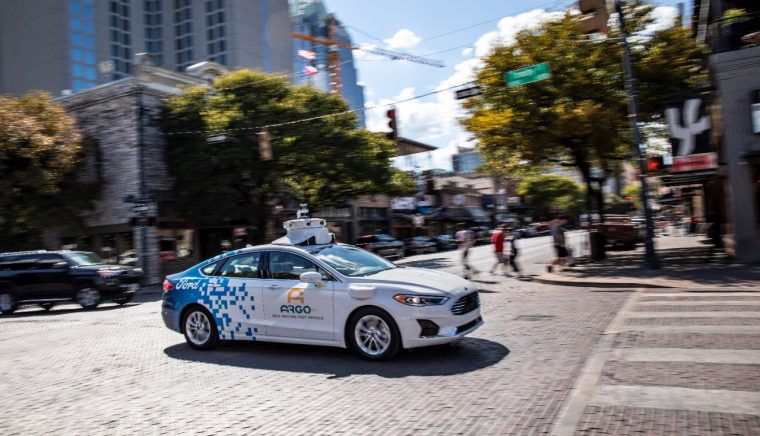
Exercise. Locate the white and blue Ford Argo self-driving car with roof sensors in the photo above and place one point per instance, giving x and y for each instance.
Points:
(305, 288)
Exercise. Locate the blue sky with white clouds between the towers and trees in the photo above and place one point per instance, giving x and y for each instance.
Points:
(458, 33)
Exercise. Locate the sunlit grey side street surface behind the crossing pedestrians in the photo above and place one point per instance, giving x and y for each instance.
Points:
(533, 255)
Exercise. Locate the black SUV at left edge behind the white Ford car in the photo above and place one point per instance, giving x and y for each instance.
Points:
(49, 277)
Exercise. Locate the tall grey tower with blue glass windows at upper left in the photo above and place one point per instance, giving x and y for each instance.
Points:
(78, 44)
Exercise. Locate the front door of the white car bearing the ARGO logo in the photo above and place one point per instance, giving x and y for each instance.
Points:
(294, 309)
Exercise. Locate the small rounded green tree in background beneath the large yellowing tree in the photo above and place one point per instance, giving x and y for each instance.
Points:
(549, 194)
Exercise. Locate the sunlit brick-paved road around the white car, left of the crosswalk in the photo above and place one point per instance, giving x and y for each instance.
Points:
(119, 371)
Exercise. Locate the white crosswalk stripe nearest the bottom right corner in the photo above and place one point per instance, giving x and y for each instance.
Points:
(675, 398)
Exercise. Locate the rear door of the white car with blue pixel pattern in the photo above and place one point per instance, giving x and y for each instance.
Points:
(234, 291)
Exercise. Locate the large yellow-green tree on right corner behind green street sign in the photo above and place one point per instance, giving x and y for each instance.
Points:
(578, 117)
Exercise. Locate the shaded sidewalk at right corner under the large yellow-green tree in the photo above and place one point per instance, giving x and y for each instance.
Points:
(686, 262)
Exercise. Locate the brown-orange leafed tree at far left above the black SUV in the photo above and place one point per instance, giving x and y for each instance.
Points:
(40, 152)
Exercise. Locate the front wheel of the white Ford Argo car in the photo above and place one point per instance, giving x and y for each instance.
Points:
(373, 335)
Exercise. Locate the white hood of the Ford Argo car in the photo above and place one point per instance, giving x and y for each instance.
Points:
(419, 280)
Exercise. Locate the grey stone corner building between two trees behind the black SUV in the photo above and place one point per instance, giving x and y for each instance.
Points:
(125, 157)
